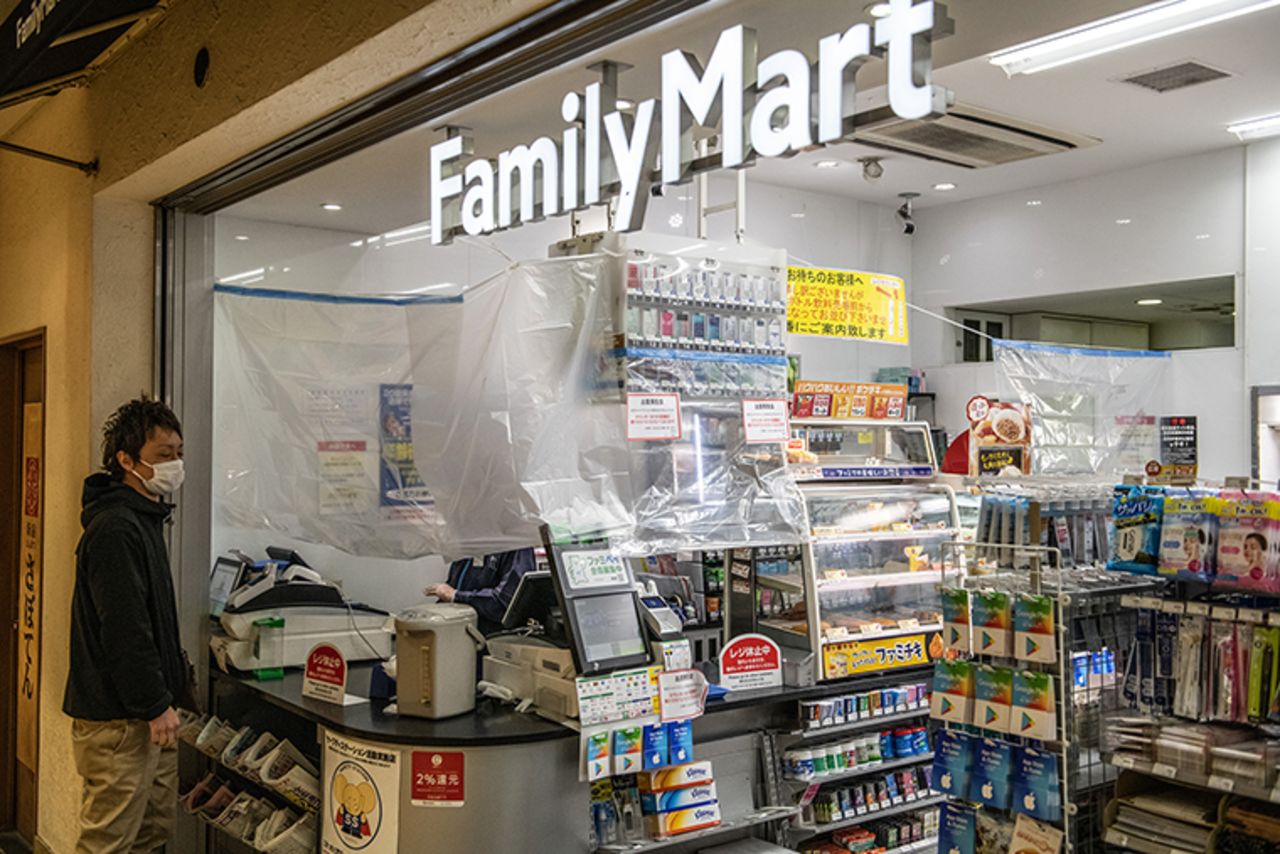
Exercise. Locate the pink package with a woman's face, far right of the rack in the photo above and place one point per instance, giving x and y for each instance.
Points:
(1249, 537)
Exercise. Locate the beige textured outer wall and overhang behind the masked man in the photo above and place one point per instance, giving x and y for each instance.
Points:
(77, 254)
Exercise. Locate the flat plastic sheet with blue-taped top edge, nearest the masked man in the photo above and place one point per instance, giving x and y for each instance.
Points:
(312, 422)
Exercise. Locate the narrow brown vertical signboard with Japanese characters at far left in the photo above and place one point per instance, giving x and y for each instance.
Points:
(31, 572)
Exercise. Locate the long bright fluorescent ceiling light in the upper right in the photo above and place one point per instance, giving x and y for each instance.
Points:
(1117, 33)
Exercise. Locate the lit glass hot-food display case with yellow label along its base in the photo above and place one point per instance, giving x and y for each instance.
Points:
(865, 595)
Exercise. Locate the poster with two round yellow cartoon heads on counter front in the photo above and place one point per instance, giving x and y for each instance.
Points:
(362, 797)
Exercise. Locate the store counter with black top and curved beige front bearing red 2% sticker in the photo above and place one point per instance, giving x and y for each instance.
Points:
(493, 779)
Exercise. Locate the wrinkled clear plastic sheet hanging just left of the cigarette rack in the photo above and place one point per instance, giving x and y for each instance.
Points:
(505, 428)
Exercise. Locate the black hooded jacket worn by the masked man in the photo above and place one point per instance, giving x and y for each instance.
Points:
(127, 657)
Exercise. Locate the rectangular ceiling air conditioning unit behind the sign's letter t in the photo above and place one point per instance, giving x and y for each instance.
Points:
(967, 136)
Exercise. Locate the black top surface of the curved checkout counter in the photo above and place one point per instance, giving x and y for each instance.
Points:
(497, 724)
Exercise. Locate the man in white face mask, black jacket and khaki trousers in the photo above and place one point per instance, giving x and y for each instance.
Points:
(127, 666)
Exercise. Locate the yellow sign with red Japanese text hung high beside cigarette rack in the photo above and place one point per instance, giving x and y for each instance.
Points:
(847, 304)
